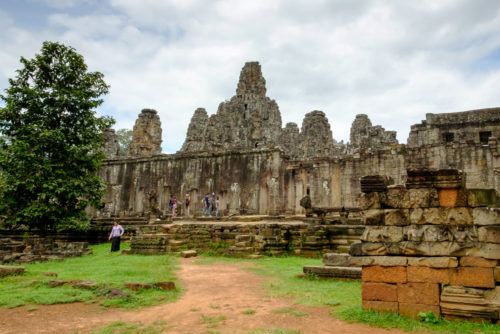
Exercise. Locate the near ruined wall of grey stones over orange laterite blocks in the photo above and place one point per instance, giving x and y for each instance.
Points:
(431, 245)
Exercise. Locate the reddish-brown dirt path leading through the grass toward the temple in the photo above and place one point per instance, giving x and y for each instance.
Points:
(211, 290)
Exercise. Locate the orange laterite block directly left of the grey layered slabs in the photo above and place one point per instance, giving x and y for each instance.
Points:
(419, 293)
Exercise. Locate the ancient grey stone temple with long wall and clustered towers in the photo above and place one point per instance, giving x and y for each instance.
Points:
(256, 166)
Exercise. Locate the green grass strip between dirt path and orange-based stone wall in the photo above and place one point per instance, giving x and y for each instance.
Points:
(343, 297)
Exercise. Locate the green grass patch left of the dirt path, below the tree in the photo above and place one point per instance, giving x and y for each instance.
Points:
(109, 270)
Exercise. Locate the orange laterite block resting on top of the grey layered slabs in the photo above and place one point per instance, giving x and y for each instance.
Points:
(474, 277)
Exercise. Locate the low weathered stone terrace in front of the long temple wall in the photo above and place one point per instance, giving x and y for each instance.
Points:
(267, 236)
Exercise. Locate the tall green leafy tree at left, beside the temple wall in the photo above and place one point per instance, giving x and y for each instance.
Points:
(49, 164)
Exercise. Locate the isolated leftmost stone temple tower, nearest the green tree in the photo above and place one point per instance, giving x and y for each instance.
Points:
(146, 136)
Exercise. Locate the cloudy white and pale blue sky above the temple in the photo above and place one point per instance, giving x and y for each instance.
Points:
(393, 60)
